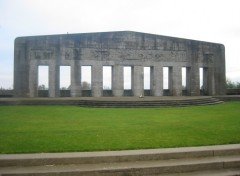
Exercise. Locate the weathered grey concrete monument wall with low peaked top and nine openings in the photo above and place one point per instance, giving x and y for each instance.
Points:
(119, 49)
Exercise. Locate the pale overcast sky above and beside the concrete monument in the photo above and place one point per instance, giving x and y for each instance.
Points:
(206, 20)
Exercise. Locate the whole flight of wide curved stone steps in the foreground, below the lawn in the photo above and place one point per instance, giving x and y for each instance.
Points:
(223, 160)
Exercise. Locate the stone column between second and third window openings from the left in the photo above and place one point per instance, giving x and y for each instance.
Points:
(75, 79)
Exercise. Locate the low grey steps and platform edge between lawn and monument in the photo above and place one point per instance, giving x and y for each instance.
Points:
(115, 102)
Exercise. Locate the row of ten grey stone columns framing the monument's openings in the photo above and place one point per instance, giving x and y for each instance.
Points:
(156, 80)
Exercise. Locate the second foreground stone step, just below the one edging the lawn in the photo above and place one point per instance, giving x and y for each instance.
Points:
(129, 168)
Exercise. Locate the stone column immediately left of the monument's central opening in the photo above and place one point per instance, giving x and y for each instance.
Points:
(117, 80)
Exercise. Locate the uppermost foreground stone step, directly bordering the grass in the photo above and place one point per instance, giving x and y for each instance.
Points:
(117, 156)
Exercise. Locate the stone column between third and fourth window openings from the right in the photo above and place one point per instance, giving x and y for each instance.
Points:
(156, 82)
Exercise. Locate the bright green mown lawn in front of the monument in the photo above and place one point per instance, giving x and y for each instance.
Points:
(29, 129)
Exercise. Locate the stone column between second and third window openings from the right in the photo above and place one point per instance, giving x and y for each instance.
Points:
(177, 81)
